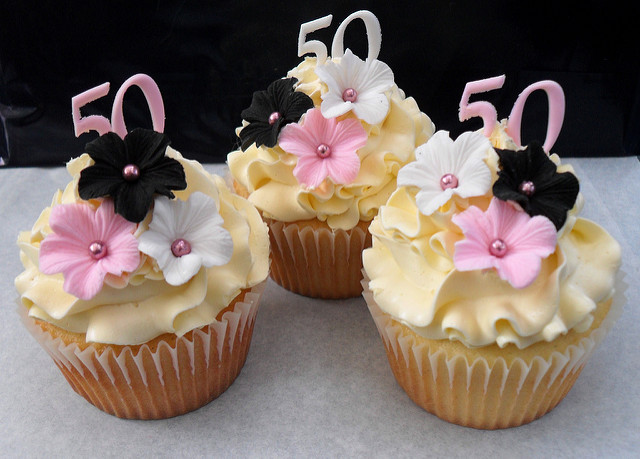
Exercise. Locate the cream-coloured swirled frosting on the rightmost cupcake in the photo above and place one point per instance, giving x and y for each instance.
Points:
(413, 278)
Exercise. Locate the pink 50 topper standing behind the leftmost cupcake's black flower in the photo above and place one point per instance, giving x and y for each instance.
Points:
(101, 124)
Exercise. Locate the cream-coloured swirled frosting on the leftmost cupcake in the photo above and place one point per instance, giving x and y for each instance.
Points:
(141, 305)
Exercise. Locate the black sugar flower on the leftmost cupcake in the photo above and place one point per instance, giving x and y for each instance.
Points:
(131, 171)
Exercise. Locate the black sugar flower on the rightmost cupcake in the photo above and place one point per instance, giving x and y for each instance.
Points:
(531, 179)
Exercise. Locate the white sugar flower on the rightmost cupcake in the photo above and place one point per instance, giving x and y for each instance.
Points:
(443, 168)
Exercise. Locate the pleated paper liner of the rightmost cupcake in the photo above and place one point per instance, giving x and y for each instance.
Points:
(479, 394)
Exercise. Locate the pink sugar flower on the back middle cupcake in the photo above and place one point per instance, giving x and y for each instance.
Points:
(325, 148)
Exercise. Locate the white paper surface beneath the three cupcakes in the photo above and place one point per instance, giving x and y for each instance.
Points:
(316, 382)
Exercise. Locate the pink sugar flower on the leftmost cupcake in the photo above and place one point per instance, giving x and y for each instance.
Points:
(86, 245)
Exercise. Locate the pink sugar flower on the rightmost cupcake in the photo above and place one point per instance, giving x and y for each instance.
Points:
(506, 239)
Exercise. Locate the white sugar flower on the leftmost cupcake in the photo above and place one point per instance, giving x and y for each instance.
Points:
(183, 236)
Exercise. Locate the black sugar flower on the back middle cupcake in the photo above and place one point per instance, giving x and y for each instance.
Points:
(271, 110)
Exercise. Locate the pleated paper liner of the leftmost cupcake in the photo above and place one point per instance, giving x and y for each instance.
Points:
(163, 380)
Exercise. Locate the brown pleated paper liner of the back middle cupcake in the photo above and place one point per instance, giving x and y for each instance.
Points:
(315, 261)
